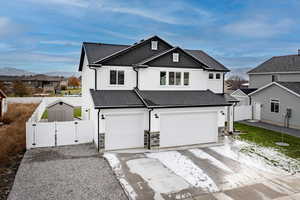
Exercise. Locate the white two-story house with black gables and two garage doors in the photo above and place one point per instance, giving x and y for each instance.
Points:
(151, 94)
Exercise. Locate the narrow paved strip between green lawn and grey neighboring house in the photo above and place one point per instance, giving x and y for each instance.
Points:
(289, 131)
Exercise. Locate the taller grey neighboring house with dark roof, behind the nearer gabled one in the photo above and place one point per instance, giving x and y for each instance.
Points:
(278, 68)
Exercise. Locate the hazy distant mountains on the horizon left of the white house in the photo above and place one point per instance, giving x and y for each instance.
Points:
(10, 71)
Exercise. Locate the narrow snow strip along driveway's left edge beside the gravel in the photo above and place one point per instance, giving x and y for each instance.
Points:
(116, 166)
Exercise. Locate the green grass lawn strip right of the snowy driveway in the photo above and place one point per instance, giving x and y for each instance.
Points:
(268, 138)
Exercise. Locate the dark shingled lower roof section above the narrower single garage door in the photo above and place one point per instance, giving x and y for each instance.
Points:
(116, 98)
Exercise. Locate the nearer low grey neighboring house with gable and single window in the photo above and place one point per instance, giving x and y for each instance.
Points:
(280, 103)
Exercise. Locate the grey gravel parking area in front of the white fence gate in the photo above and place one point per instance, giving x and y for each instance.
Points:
(70, 172)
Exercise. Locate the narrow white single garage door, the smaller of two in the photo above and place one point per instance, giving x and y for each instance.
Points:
(124, 131)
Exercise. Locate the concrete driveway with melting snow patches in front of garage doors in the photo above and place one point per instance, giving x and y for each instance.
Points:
(207, 173)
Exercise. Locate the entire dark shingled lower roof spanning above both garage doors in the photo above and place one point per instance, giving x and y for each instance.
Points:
(156, 99)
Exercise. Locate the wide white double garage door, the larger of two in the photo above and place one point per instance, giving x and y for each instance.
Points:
(178, 129)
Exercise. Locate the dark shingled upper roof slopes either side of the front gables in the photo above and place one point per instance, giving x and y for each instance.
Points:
(98, 51)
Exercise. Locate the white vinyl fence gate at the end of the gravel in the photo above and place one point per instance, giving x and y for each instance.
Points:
(49, 134)
